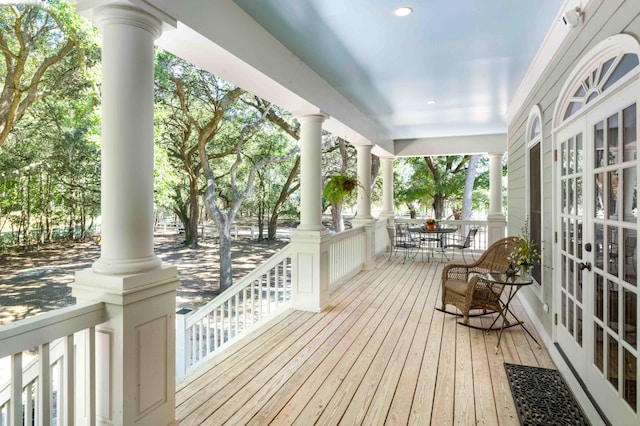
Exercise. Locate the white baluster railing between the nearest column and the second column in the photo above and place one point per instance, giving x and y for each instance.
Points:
(259, 295)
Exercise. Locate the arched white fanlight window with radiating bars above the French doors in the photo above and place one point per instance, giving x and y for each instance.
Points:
(617, 58)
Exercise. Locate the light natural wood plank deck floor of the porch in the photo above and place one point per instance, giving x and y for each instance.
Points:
(380, 354)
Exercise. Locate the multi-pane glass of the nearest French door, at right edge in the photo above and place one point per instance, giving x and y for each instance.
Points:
(614, 225)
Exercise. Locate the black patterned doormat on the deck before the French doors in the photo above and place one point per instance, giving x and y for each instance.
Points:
(542, 397)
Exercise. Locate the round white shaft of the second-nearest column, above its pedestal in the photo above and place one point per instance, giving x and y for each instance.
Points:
(311, 172)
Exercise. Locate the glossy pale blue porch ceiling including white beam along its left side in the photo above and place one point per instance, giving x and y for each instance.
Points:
(372, 72)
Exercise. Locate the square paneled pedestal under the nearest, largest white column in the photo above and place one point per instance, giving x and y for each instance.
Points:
(135, 346)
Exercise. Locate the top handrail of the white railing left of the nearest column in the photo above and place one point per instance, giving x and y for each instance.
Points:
(48, 326)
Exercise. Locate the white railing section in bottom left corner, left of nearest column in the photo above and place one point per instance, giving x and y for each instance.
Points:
(52, 367)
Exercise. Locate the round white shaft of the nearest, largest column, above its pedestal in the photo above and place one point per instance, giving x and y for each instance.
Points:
(127, 141)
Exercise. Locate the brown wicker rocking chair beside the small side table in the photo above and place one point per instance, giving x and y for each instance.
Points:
(464, 290)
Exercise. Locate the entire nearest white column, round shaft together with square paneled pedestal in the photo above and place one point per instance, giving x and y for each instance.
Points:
(135, 347)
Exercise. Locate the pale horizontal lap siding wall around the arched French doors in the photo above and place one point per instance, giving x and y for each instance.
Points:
(602, 19)
